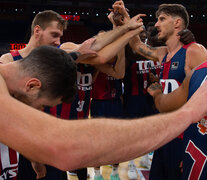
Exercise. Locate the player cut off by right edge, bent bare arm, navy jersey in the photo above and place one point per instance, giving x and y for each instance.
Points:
(194, 150)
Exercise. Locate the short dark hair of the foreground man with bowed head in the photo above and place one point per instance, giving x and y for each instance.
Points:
(55, 69)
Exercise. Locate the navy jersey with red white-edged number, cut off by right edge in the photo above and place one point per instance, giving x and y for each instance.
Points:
(195, 137)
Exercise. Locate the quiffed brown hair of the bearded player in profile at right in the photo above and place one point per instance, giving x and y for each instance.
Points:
(174, 10)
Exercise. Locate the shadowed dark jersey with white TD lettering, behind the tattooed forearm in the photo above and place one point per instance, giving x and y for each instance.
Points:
(137, 102)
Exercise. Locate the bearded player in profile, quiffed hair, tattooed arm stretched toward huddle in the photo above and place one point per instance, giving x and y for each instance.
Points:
(177, 60)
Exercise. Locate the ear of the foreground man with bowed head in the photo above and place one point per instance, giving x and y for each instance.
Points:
(33, 85)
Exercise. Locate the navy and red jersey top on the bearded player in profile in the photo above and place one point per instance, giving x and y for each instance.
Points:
(173, 72)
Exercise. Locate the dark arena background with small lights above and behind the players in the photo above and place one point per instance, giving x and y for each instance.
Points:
(86, 17)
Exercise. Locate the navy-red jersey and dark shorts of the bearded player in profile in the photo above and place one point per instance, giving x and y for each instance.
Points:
(167, 159)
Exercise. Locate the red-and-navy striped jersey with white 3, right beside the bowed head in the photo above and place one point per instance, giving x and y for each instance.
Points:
(80, 106)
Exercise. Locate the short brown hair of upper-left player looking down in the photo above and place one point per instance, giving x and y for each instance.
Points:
(44, 18)
